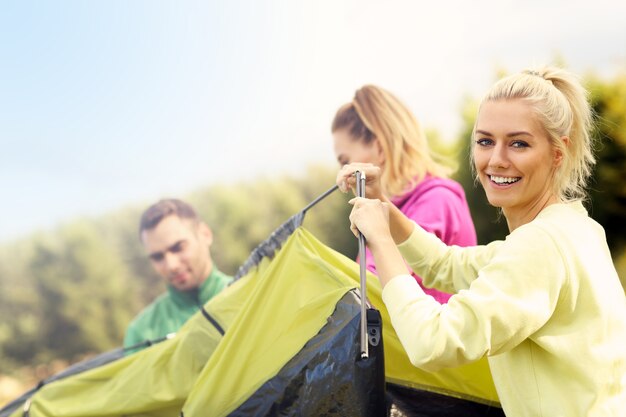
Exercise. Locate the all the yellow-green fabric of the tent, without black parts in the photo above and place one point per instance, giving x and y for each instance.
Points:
(269, 316)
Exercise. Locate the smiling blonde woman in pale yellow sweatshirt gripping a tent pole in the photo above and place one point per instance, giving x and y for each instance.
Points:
(545, 305)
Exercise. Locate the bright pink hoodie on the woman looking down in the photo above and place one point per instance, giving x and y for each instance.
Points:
(439, 206)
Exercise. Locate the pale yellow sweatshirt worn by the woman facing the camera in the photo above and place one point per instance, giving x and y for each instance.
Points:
(545, 305)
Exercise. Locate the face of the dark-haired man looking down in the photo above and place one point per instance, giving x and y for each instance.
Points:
(179, 251)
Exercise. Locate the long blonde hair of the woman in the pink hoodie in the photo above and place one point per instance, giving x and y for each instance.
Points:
(374, 113)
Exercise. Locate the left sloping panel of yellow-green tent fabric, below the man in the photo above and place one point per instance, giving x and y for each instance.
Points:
(154, 382)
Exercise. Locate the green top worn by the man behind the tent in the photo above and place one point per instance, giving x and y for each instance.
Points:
(172, 309)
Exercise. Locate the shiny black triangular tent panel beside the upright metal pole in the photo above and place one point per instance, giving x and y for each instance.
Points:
(327, 377)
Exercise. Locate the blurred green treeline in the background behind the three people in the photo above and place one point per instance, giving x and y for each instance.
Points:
(70, 292)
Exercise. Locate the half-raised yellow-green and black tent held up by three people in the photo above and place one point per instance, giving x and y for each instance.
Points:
(282, 340)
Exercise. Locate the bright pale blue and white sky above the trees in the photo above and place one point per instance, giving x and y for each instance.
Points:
(109, 103)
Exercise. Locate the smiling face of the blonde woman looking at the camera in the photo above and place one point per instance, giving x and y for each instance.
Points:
(514, 158)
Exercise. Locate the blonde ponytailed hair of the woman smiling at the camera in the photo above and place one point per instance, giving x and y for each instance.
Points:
(562, 107)
